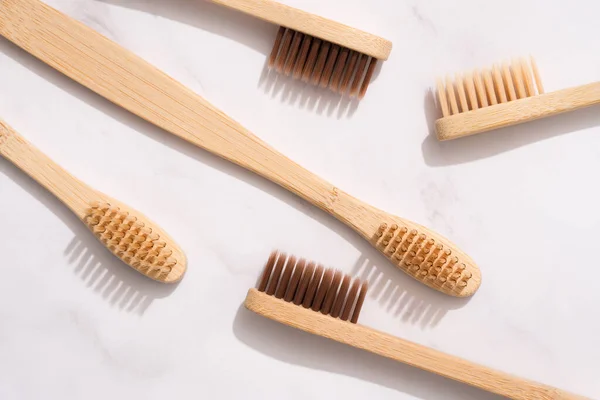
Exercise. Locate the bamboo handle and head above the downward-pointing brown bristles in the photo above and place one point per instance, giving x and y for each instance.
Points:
(313, 25)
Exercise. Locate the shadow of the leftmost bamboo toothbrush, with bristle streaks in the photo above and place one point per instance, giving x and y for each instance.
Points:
(118, 284)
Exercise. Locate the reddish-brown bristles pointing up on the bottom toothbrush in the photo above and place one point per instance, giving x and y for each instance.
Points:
(327, 291)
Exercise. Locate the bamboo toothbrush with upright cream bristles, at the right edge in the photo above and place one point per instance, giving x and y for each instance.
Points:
(502, 96)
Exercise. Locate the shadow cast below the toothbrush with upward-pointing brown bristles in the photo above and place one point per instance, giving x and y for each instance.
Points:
(296, 347)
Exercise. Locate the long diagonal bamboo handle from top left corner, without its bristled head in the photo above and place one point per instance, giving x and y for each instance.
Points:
(130, 82)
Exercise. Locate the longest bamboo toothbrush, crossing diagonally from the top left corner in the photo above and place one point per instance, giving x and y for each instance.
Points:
(125, 79)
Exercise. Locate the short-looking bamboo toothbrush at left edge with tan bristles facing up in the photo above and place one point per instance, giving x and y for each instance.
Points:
(128, 234)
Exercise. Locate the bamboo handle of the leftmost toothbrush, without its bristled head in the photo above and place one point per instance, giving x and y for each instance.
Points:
(71, 191)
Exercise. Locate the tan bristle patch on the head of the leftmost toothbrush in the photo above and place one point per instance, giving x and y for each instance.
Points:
(132, 240)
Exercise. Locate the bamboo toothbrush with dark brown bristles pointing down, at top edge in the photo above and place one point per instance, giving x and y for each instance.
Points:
(317, 50)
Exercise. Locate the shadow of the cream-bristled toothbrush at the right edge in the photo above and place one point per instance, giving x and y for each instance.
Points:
(489, 144)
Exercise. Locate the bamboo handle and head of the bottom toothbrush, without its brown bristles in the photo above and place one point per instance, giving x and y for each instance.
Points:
(401, 350)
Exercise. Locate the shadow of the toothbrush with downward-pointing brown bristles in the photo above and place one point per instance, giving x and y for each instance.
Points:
(255, 34)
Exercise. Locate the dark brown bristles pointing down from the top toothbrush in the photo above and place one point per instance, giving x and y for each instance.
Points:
(321, 63)
